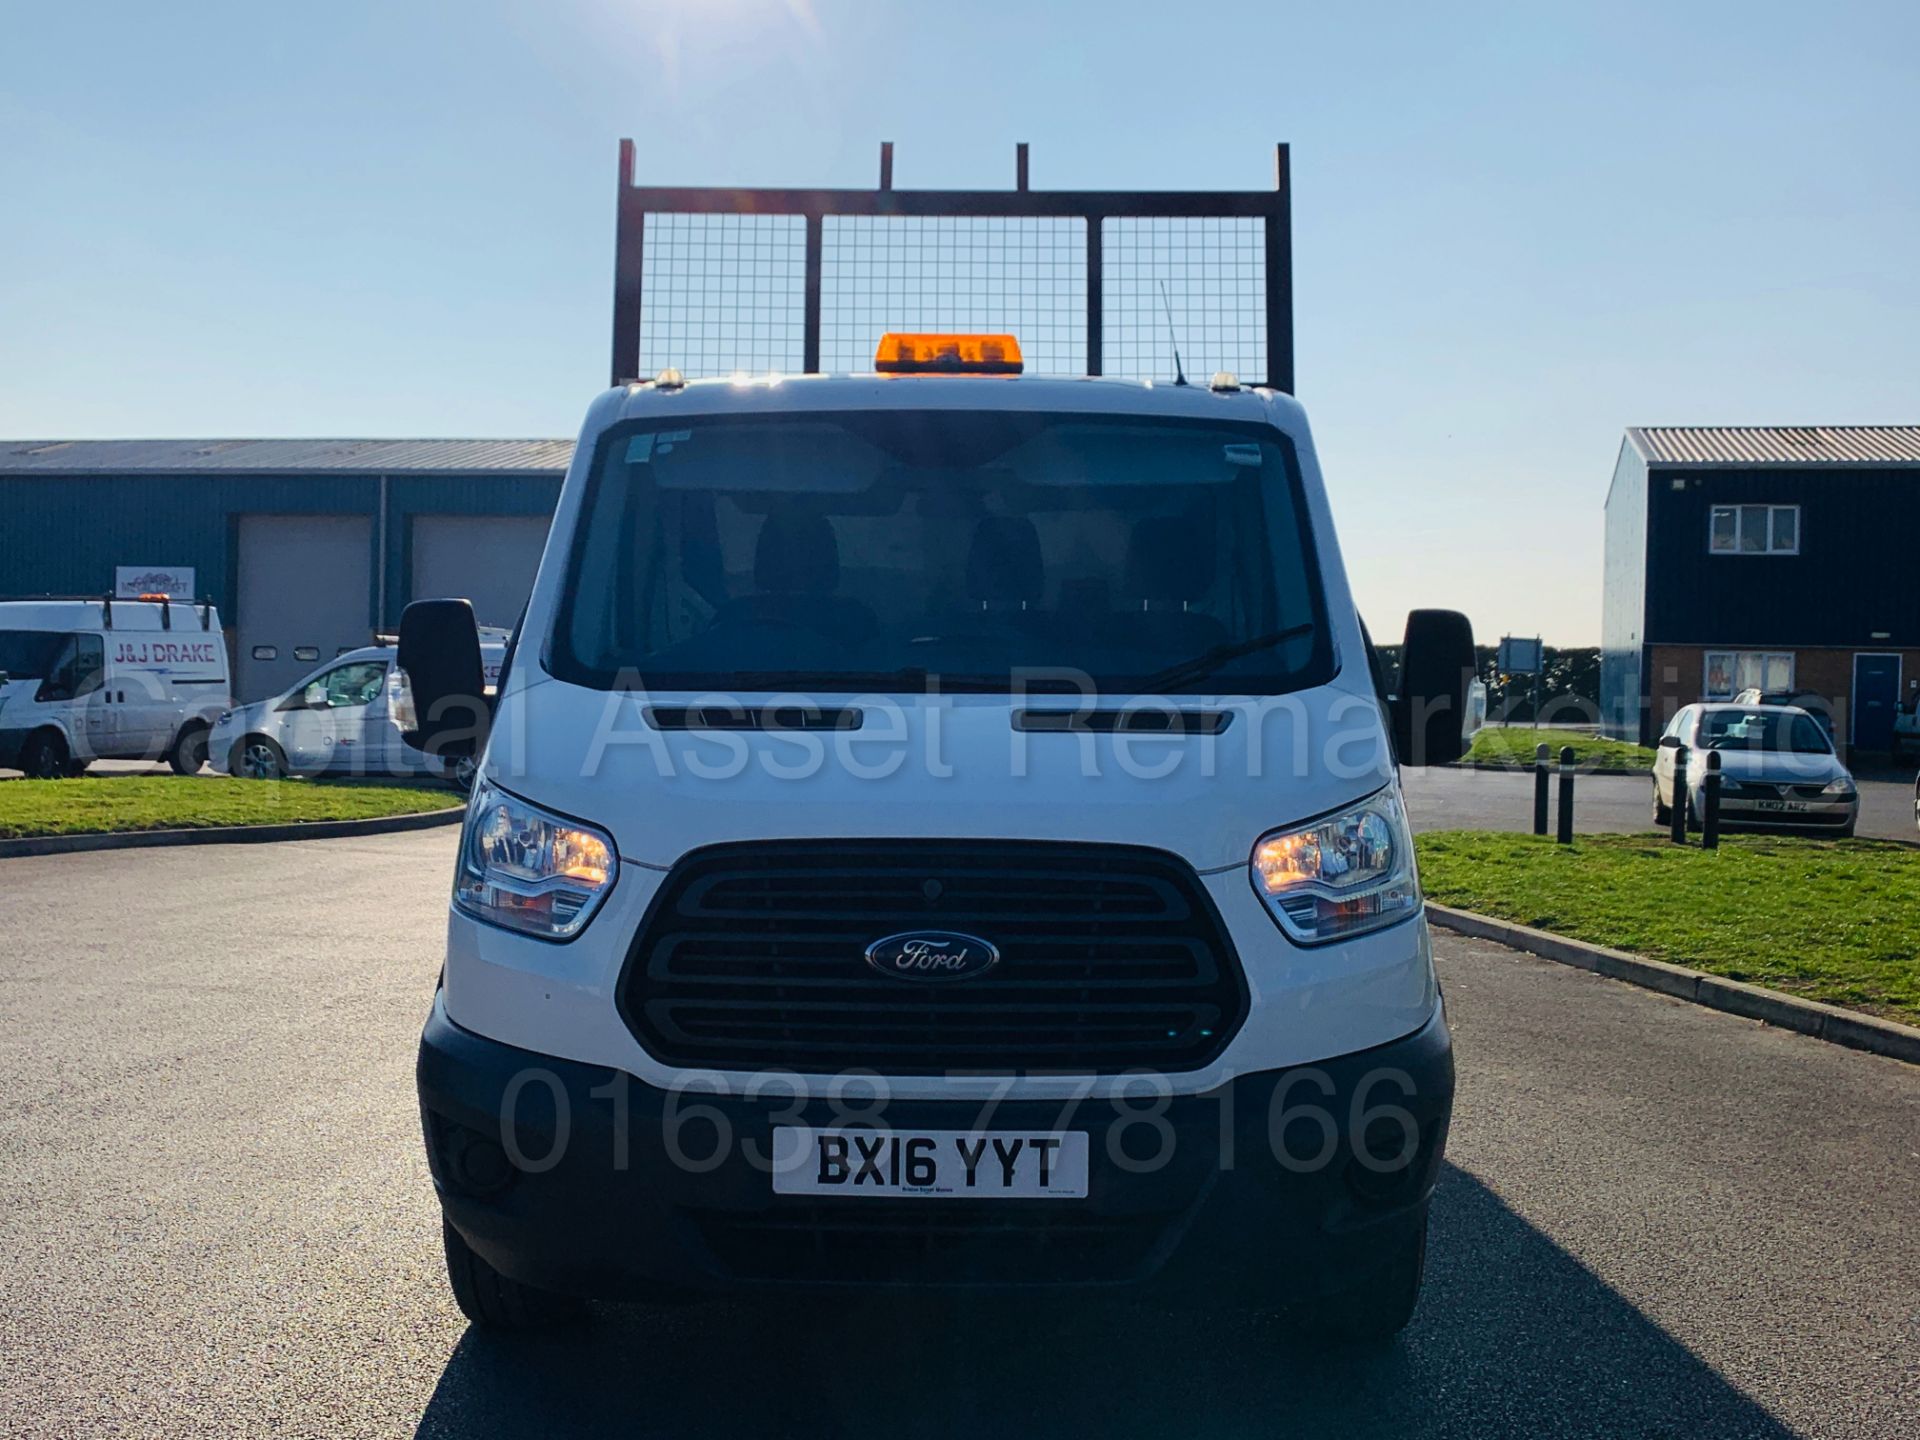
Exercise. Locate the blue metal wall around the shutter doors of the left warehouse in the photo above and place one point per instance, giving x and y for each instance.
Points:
(64, 535)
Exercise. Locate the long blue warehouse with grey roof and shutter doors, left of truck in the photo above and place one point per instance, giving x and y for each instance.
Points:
(308, 546)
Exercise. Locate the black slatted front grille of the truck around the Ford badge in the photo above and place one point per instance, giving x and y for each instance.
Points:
(754, 957)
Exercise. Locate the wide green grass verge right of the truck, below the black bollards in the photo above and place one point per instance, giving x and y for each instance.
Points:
(1829, 921)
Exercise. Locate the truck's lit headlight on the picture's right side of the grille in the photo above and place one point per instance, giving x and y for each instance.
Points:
(1341, 876)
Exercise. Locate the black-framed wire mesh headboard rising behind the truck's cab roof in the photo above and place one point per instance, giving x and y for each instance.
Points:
(717, 281)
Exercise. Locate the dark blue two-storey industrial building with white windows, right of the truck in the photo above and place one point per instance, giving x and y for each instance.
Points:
(1779, 558)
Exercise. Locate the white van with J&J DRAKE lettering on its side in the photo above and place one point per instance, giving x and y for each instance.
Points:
(105, 679)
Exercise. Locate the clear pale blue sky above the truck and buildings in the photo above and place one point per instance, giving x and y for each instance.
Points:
(1518, 229)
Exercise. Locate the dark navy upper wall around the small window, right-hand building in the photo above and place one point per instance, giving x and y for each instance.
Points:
(1854, 573)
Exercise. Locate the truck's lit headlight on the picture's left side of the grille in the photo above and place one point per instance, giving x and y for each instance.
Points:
(531, 871)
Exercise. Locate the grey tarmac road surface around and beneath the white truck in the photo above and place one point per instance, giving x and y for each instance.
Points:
(216, 1216)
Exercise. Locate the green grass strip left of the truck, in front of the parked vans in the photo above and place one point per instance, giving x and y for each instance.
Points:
(112, 804)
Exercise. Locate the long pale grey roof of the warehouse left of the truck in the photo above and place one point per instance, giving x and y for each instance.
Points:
(285, 456)
